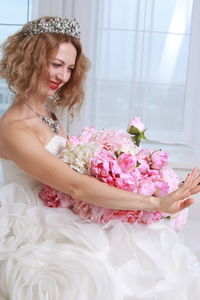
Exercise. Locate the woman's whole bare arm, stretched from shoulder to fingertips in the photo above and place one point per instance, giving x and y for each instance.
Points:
(23, 147)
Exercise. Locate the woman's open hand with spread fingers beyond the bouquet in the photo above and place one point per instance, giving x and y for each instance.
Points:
(180, 198)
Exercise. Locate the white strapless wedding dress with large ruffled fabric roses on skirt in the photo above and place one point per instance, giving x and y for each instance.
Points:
(51, 254)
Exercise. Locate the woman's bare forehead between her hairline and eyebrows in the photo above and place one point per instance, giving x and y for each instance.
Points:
(66, 52)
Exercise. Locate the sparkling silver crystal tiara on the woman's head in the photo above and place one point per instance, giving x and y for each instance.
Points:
(64, 25)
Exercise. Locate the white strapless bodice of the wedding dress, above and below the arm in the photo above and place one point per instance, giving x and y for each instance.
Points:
(12, 173)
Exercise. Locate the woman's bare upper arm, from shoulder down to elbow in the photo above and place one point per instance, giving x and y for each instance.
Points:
(20, 144)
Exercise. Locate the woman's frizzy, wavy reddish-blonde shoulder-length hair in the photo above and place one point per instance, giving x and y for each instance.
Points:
(25, 67)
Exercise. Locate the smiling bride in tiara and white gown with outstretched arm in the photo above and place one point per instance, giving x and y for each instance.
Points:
(47, 253)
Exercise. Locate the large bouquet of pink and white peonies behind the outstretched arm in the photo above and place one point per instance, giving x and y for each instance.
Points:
(116, 158)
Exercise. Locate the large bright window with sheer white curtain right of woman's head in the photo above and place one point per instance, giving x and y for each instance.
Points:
(144, 62)
